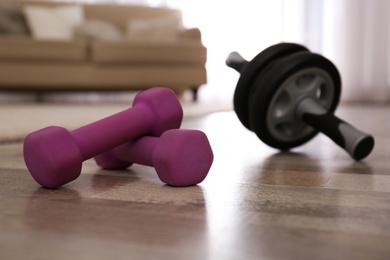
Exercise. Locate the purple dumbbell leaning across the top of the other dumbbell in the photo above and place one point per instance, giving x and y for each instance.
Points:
(54, 155)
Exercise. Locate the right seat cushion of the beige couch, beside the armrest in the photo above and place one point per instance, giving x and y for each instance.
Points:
(127, 52)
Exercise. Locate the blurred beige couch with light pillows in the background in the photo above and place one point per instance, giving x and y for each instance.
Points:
(46, 46)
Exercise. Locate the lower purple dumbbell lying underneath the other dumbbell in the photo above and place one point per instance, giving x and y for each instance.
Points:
(180, 157)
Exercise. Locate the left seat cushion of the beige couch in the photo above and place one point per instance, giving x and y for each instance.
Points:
(24, 48)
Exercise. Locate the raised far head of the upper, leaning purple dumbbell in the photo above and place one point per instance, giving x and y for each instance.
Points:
(165, 106)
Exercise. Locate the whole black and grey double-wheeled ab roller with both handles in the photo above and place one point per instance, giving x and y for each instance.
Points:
(286, 95)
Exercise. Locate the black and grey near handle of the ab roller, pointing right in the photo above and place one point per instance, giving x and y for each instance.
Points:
(355, 142)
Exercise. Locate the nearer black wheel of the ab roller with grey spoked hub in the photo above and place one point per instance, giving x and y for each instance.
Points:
(279, 88)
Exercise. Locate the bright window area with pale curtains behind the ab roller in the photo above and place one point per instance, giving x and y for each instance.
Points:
(354, 34)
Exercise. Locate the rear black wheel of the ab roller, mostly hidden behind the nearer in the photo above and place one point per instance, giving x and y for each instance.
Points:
(250, 72)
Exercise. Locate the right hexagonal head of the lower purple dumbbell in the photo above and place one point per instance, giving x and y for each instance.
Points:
(183, 158)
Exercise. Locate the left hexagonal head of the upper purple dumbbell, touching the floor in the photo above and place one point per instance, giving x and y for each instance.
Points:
(52, 156)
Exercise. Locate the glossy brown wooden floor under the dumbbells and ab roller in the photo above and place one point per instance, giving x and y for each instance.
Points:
(313, 202)
